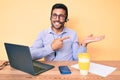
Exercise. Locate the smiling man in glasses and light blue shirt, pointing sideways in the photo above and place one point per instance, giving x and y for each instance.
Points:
(59, 43)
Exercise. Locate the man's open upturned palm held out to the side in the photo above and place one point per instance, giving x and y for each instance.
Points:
(91, 38)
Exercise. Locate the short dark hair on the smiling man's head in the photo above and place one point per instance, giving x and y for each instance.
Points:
(60, 6)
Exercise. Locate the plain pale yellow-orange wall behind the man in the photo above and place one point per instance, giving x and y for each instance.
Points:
(22, 20)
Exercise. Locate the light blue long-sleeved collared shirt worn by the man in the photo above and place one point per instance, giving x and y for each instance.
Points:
(42, 46)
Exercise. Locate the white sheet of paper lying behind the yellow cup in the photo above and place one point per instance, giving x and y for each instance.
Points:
(99, 69)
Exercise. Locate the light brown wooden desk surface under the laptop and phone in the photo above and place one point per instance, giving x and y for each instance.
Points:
(9, 73)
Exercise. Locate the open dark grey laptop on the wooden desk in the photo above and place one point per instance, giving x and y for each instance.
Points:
(20, 58)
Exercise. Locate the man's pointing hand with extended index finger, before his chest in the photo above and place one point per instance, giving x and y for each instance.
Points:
(58, 43)
